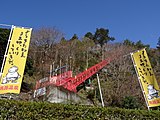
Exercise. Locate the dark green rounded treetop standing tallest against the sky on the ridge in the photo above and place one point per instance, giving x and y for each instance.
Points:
(101, 36)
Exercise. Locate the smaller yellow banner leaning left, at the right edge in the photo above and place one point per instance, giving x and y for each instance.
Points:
(147, 78)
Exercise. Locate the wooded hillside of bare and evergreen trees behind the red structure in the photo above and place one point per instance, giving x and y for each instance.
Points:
(119, 82)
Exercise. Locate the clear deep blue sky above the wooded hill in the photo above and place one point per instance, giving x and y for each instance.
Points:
(126, 19)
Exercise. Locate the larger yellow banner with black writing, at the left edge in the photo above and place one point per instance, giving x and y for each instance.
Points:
(14, 66)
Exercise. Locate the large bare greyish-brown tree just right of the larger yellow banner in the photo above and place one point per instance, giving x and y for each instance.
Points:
(43, 48)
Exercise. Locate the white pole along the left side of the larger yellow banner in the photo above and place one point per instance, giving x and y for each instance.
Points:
(5, 55)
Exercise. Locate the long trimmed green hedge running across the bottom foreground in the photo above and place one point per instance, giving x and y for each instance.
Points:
(20, 110)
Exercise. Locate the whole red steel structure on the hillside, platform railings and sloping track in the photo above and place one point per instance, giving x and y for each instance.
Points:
(70, 83)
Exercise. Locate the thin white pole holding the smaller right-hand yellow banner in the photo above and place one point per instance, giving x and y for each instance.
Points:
(139, 81)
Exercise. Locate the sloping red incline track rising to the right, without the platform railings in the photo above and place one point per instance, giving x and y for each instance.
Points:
(72, 82)
